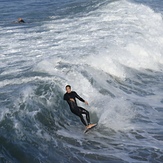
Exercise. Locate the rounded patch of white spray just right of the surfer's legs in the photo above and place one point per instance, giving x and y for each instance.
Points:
(116, 114)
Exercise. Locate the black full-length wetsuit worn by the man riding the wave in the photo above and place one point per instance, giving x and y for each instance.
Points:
(75, 108)
